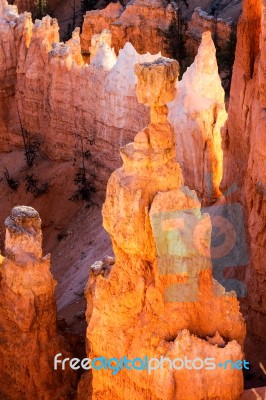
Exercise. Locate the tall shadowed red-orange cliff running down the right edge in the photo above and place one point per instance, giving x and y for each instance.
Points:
(245, 149)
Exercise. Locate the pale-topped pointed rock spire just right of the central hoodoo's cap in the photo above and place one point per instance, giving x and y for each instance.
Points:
(198, 115)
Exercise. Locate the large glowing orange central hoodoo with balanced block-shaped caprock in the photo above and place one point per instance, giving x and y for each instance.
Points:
(160, 299)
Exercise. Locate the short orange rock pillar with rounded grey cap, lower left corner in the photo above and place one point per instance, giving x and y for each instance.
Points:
(28, 335)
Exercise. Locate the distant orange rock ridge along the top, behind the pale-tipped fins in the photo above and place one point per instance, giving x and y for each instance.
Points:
(146, 25)
